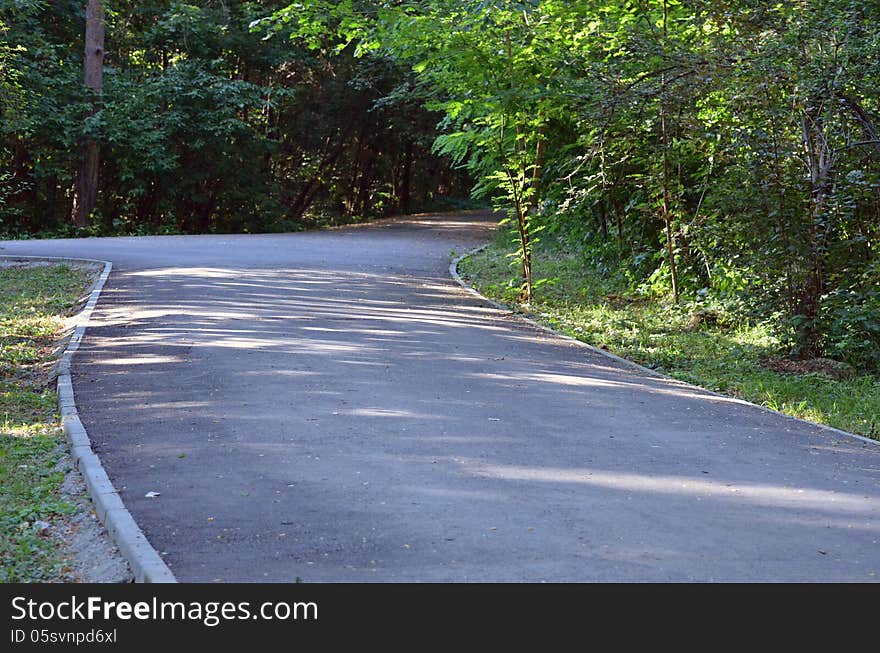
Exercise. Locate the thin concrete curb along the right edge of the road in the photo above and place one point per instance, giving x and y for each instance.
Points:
(453, 271)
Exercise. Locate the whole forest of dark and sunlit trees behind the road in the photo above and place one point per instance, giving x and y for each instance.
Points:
(726, 151)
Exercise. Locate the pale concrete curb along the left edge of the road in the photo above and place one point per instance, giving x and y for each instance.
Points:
(145, 562)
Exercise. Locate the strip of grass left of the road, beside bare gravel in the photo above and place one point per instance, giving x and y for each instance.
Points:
(33, 304)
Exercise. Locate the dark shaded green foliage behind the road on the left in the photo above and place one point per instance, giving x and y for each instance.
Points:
(204, 125)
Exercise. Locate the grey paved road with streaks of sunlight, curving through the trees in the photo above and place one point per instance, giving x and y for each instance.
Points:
(331, 407)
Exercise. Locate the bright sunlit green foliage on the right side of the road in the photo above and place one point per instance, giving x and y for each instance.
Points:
(752, 130)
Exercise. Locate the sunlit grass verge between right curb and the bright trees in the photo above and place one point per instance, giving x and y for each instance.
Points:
(729, 357)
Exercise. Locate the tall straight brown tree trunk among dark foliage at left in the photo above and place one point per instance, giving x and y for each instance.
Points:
(86, 195)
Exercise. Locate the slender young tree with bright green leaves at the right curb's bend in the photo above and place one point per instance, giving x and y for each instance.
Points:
(489, 66)
